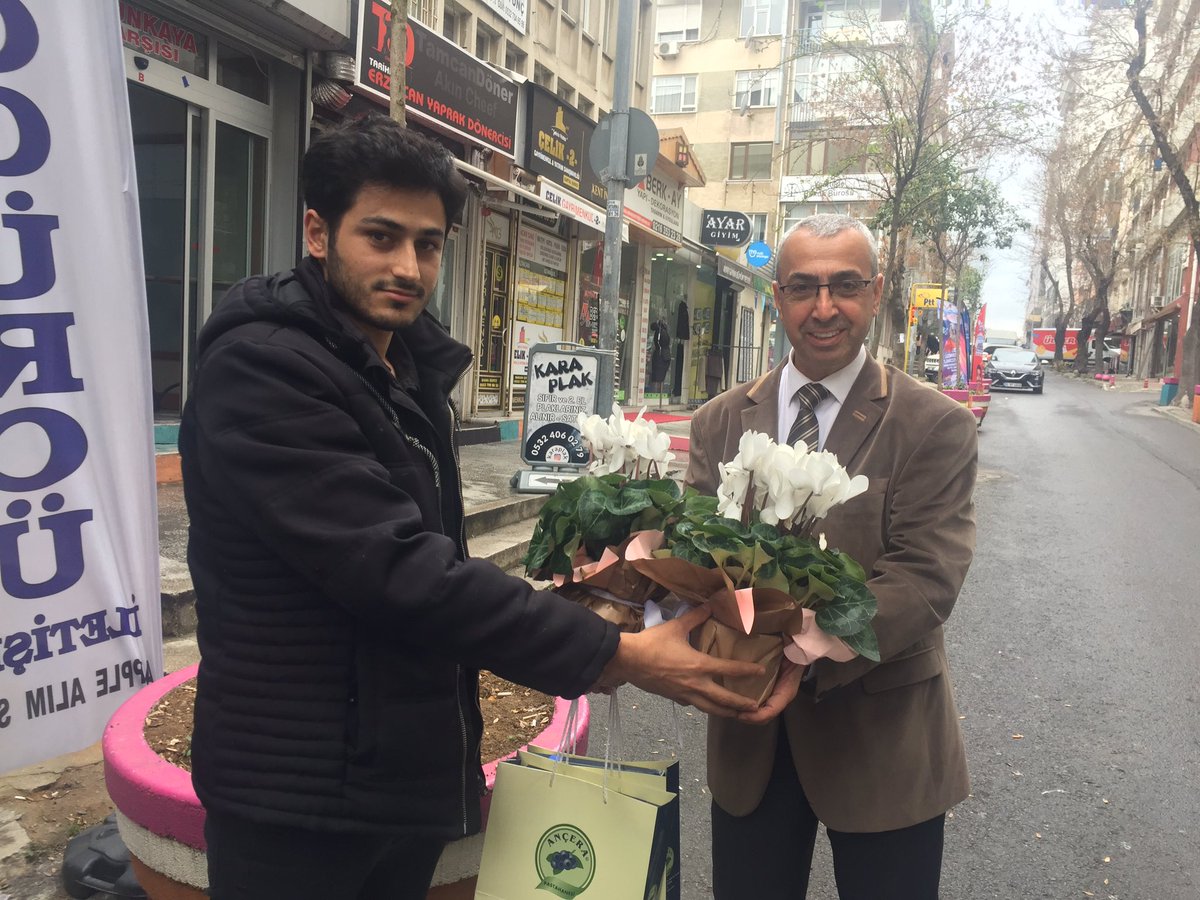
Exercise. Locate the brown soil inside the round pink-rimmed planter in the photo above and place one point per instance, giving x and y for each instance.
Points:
(513, 716)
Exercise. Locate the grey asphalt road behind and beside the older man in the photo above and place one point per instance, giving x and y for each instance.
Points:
(1073, 655)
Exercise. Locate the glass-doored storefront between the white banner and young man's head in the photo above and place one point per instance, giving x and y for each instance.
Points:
(218, 116)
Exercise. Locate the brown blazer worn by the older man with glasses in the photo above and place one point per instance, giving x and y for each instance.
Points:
(877, 746)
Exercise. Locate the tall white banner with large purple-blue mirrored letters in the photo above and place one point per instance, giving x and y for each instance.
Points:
(80, 611)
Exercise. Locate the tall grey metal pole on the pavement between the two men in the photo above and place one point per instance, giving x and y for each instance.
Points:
(615, 181)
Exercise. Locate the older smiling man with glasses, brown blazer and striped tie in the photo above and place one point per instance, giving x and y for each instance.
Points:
(872, 751)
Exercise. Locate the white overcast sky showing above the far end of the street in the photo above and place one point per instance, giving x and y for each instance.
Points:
(1006, 287)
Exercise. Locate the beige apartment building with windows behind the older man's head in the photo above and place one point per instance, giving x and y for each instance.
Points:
(753, 83)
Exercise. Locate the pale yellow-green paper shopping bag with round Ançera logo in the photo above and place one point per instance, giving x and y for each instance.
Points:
(553, 833)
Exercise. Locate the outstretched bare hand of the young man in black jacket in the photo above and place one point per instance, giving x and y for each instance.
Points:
(661, 661)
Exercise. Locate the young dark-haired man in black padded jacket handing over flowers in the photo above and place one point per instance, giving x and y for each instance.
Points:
(341, 620)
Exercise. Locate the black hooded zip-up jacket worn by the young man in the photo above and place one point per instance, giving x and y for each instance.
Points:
(341, 623)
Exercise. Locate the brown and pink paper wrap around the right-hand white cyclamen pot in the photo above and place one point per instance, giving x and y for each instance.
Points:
(748, 625)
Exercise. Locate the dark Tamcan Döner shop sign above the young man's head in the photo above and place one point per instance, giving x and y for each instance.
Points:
(445, 85)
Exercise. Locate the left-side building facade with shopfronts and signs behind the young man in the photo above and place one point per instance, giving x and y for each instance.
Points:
(226, 95)
